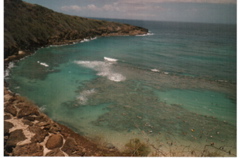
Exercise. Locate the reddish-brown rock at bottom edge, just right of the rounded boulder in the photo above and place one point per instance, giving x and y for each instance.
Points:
(71, 148)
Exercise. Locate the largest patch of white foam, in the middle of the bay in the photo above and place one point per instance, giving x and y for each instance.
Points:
(103, 69)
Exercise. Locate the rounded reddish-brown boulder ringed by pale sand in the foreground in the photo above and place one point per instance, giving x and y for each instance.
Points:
(54, 141)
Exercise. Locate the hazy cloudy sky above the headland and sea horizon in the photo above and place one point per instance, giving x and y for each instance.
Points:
(209, 11)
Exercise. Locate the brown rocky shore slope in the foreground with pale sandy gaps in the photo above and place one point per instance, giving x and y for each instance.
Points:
(28, 132)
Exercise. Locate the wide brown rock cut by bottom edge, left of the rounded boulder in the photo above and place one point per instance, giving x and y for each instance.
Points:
(32, 149)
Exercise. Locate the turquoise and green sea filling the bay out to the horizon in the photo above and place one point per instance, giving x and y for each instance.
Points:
(174, 88)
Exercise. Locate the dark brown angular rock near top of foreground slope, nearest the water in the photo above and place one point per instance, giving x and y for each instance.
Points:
(26, 110)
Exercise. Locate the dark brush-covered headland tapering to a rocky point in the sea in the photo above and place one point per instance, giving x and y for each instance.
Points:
(29, 26)
